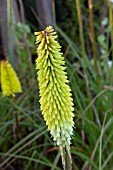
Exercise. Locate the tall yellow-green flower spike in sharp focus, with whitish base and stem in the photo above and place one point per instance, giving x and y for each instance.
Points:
(56, 101)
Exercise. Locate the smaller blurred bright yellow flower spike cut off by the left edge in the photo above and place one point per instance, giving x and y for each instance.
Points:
(9, 81)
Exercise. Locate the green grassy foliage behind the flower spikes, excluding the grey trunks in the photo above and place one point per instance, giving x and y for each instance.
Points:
(24, 141)
